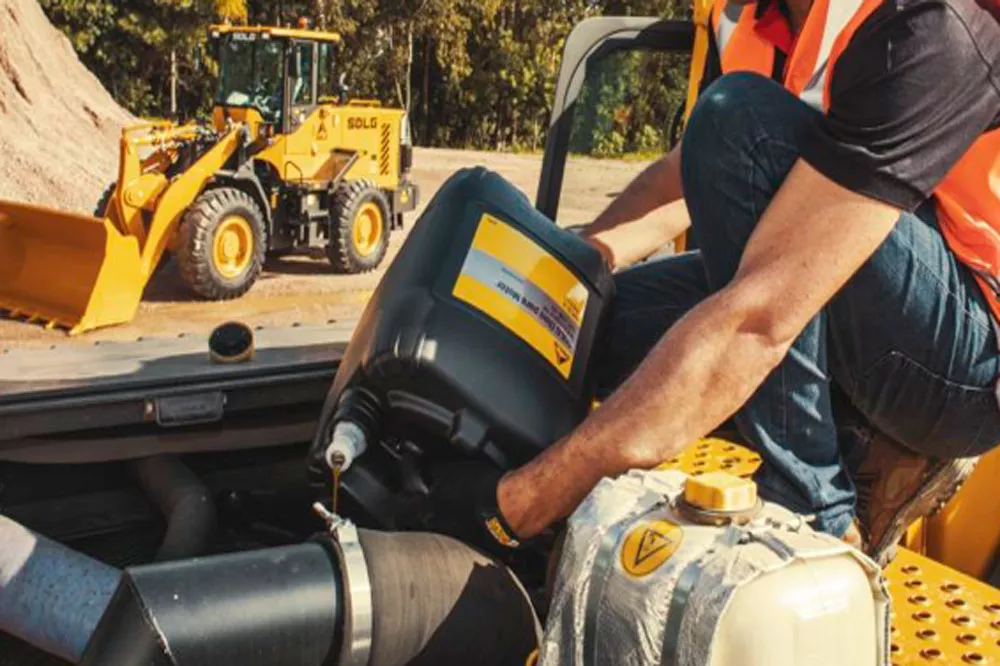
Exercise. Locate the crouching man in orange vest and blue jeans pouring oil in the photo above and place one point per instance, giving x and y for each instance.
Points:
(841, 177)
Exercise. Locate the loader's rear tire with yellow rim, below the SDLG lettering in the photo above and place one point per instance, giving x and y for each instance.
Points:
(359, 228)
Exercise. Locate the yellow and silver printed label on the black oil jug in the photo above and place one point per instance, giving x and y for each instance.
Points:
(513, 280)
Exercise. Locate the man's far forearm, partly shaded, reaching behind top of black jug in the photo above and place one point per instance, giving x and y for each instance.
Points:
(639, 221)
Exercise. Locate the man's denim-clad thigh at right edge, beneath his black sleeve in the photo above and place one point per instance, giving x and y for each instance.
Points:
(913, 346)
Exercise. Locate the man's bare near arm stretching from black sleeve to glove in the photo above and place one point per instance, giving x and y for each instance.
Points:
(810, 241)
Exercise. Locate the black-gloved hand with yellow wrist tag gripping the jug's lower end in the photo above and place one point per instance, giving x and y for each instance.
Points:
(464, 506)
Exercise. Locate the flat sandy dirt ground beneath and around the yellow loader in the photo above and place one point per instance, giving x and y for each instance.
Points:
(305, 290)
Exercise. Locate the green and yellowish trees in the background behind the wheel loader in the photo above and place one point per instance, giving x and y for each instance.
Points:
(477, 73)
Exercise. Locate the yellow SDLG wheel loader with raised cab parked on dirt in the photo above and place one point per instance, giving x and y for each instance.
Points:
(288, 162)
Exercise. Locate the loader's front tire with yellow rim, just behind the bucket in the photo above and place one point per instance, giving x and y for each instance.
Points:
(222, 244)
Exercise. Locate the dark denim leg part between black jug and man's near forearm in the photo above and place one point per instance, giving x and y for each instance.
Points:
(649, 298)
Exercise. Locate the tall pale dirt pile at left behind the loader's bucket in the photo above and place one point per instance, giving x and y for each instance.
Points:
(59, 128)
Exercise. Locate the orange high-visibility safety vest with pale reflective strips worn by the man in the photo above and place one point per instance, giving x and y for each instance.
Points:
(968, 199)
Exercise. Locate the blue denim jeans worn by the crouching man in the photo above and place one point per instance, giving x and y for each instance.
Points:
(907, 344)
